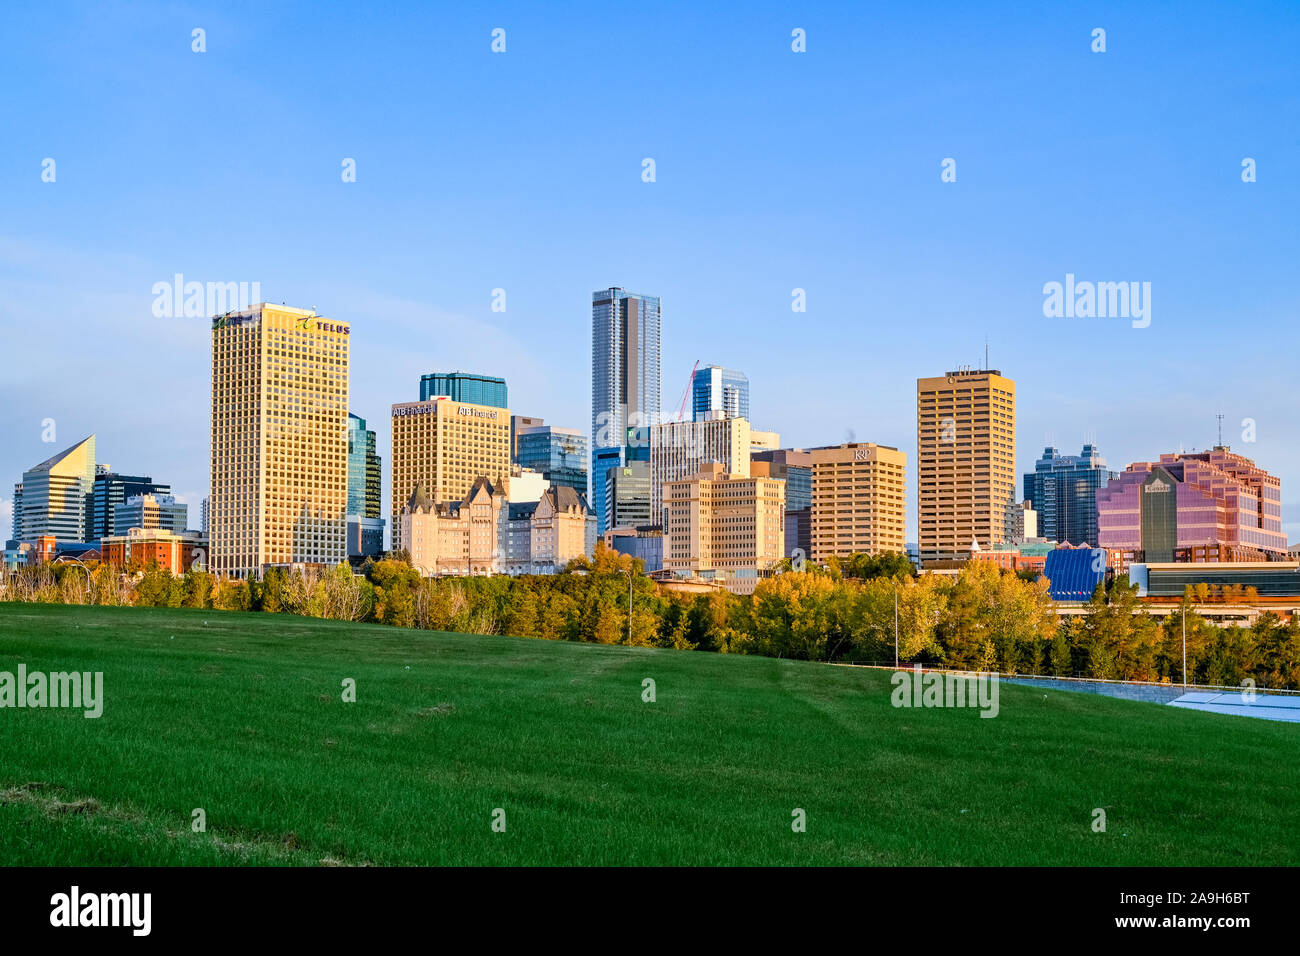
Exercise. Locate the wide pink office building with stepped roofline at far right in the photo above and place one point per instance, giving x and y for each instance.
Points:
(1202, 507)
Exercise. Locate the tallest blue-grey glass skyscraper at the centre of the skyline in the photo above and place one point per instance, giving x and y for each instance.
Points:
(625, 382)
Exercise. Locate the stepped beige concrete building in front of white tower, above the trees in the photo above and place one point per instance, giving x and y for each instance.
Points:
(725, 527)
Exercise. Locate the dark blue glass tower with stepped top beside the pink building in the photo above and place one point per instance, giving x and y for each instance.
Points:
(1064, 491)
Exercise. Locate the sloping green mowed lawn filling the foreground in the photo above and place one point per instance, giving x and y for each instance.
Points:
(241, 715)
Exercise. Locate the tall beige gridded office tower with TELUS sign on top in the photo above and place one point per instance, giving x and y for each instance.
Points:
(279, 440)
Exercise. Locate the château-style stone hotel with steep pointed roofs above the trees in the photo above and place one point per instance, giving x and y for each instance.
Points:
(486, 534)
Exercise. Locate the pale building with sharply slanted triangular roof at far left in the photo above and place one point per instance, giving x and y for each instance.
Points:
(57, 498)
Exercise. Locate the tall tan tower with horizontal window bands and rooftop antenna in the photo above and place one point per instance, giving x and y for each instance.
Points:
(965, 462)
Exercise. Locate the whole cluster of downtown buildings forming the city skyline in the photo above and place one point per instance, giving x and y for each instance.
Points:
(697, 494)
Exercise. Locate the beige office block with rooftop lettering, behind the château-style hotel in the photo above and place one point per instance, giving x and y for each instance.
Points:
(444, 445)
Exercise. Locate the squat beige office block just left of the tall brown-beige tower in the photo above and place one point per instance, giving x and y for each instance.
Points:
(859, 500)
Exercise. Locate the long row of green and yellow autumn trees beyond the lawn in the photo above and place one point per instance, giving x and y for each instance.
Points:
(859, 611)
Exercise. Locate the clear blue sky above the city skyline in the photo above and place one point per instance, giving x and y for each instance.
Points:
(775, 171)
